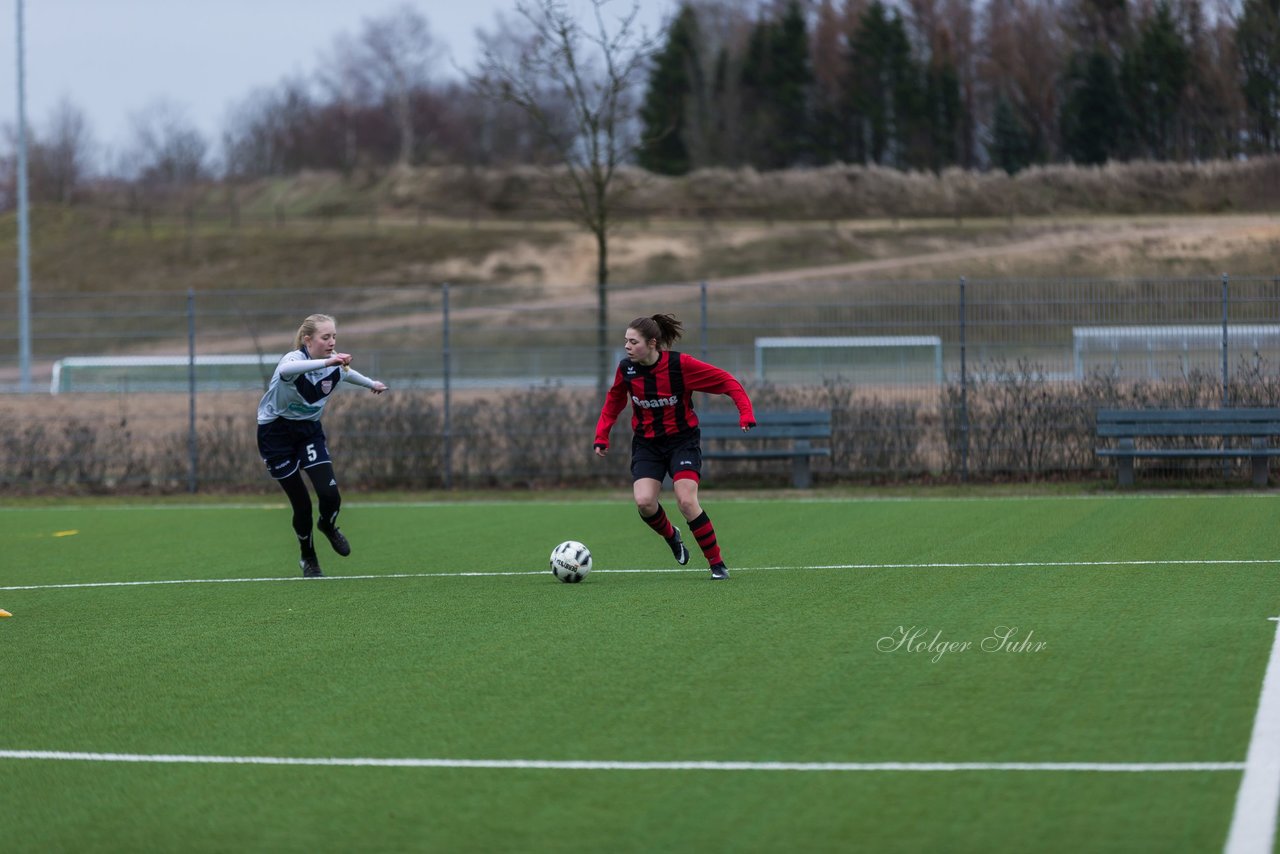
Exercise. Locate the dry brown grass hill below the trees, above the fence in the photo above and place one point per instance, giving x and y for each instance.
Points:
(510, 227)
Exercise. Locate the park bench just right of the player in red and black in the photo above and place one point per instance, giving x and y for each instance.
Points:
(776, 436)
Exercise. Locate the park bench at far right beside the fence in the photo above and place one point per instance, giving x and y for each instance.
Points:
(1127, 427)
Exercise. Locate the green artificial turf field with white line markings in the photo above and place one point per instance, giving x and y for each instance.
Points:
(442, 692)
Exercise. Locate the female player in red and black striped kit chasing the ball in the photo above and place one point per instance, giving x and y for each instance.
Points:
(660, 383)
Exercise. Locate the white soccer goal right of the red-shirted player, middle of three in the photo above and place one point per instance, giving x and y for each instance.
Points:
(888, 360)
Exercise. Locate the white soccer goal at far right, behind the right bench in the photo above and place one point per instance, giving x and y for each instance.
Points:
(1156, 353)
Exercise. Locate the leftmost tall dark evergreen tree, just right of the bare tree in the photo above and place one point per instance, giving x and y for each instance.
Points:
(671, 101)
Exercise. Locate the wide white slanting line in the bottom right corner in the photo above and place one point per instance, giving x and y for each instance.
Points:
(1255, 821)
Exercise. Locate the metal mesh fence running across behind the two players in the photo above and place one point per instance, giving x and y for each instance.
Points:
(501, 386)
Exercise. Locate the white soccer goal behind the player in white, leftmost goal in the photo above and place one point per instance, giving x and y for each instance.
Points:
(161, 373)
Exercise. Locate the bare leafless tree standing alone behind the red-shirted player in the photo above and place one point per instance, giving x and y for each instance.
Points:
(595, 72)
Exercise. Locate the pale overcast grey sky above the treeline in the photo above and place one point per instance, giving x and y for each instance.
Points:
(113, 58)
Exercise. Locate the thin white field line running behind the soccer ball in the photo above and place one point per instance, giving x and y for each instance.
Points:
(647, 572)
